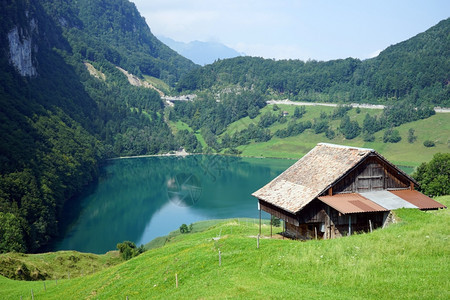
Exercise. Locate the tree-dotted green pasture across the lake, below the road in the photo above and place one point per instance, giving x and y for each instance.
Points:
(436, 128)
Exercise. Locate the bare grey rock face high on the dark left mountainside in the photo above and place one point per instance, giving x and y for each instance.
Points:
(21, 50)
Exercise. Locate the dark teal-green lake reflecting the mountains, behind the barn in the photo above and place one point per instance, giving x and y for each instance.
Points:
(139, 199)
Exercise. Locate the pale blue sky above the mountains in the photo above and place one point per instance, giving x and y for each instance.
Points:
(320, 30)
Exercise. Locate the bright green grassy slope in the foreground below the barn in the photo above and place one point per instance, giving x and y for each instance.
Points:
(405, 260)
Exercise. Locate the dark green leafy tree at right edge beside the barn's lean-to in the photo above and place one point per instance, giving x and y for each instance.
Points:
(434, 176)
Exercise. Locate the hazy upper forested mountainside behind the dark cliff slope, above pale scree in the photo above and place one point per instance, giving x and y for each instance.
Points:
(113, 30)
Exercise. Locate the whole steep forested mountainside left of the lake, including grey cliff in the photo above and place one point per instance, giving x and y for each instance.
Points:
(57, 121)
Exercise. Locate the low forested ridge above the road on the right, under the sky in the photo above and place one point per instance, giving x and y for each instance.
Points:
(416, 70)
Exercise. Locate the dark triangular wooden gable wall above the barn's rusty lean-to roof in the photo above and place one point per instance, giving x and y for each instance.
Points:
(372, 175)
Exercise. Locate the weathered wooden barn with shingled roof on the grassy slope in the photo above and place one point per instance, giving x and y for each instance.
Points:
(337, 190)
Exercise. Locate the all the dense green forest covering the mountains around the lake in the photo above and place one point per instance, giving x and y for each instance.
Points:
(59, 121)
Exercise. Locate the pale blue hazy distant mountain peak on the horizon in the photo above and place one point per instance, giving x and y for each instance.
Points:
(199, 52)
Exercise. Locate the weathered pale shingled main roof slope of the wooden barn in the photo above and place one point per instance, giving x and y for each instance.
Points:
(313, 174)
